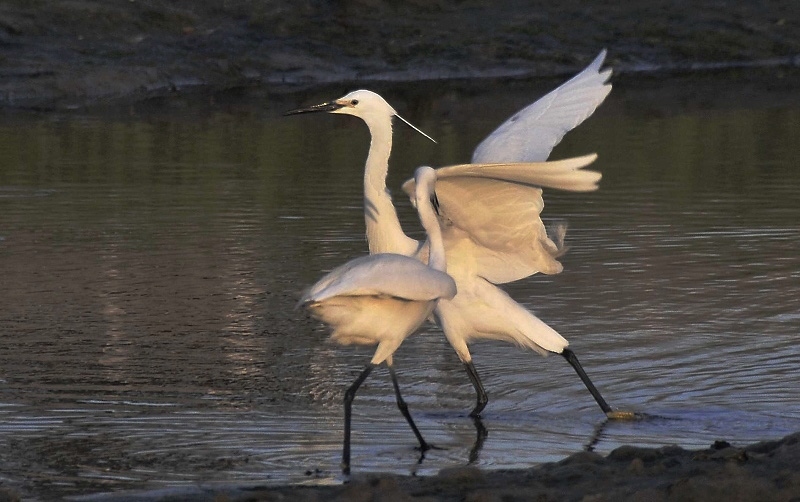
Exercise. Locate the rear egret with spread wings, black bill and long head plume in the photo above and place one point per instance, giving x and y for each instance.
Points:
(492, 230)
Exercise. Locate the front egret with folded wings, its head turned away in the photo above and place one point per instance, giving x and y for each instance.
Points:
(382, 299)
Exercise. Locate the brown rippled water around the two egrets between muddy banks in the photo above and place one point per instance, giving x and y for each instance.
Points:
(150, 263)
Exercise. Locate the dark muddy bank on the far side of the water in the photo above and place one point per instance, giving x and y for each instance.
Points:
(66, 54)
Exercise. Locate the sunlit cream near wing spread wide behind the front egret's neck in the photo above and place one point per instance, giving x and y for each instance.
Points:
(489, 214)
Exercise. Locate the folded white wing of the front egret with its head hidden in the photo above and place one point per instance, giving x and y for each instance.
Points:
(383, 274)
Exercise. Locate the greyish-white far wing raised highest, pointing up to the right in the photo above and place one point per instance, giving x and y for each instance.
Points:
(530, 134)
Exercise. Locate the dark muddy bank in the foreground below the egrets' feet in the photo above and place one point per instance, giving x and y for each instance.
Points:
(762, 472)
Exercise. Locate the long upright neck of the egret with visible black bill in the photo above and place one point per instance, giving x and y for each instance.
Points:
(384, 233)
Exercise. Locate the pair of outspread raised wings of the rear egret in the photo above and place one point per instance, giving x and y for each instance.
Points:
(490, 209)
